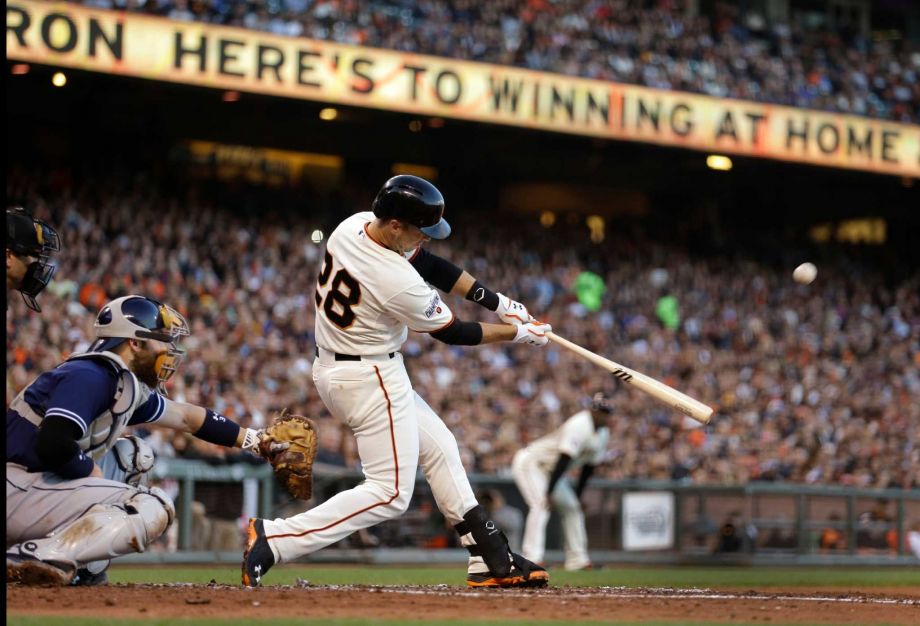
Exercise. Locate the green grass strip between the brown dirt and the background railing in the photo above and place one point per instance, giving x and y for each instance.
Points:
(716, 577)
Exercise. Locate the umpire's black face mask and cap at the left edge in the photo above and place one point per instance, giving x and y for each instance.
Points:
(30, 237)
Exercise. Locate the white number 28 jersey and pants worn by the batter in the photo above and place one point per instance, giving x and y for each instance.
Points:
(368, 296)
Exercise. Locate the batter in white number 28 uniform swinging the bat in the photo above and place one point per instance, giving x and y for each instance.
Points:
(372, 288)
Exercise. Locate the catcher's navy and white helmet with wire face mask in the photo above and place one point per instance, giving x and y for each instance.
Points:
(139, 317)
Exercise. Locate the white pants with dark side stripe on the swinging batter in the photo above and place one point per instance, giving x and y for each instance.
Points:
(396, 432)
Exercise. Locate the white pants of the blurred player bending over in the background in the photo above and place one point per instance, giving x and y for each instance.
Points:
(532, 481)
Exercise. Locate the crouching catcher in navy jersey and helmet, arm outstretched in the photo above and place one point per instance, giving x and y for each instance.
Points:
(74, 498)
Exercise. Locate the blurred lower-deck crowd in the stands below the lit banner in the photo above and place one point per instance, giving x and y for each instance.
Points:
(812, 384)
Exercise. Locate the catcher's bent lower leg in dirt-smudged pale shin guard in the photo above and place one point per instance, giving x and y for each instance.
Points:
(104, 531)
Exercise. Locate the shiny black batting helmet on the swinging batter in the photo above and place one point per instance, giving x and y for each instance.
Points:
(415, 201)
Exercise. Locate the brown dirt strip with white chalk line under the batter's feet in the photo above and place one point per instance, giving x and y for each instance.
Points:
(894, 606)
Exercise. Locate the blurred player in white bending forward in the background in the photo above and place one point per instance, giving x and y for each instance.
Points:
(539, 470)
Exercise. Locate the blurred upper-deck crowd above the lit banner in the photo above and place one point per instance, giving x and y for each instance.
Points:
(657, 44)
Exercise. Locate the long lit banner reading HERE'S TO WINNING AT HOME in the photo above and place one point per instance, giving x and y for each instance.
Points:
(132, 44)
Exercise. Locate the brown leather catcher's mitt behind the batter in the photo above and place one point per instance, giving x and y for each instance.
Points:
(289, 443)
